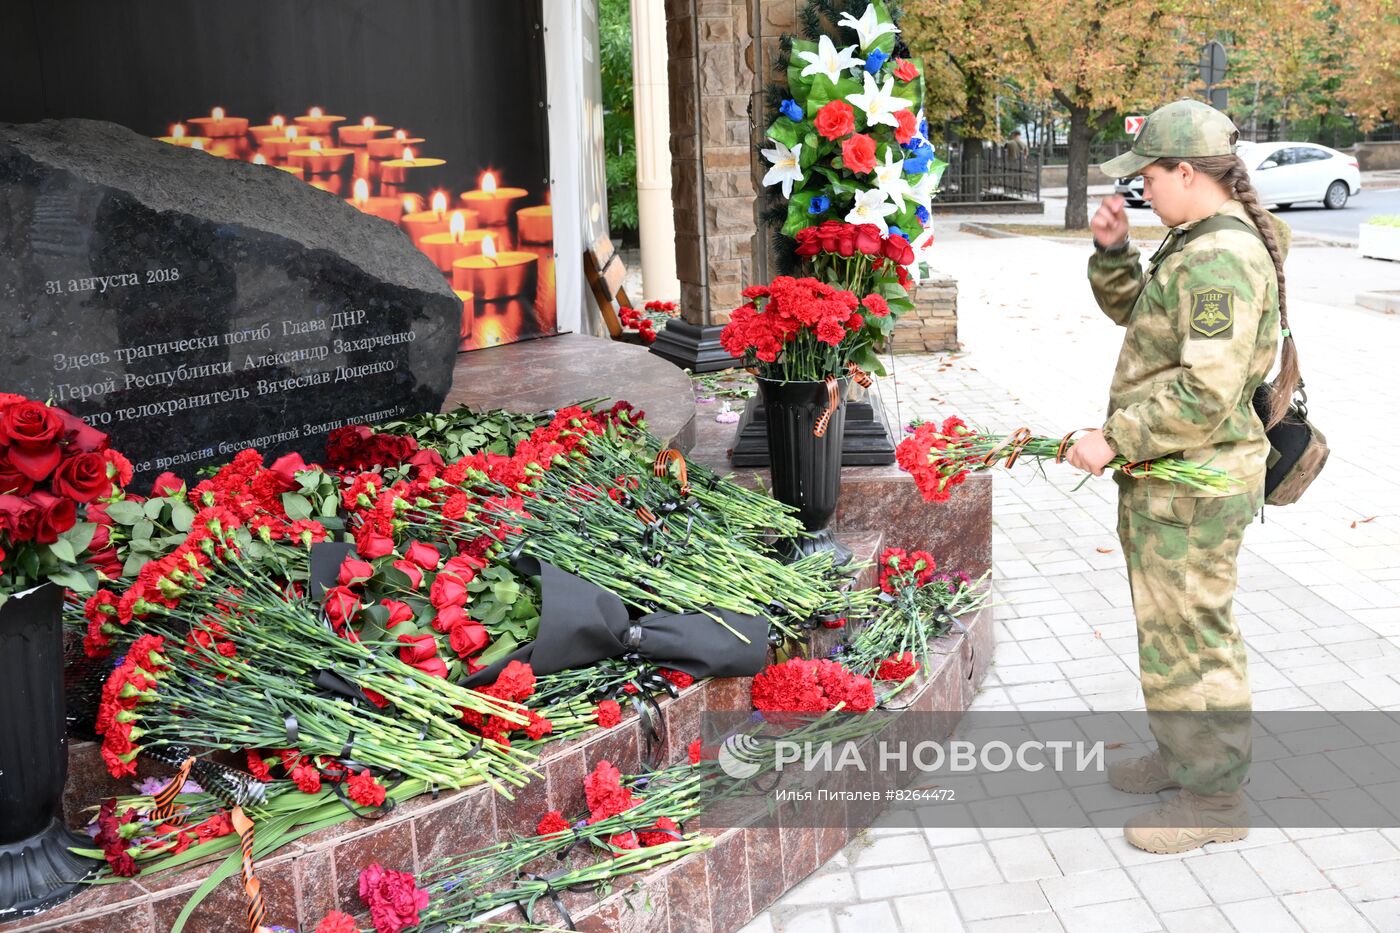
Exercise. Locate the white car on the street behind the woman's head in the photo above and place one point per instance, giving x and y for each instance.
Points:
(1284, 174)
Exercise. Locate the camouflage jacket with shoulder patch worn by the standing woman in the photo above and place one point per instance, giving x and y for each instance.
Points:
(1202, 334)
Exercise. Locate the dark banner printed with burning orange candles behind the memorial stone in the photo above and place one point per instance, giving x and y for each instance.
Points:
(430, 114)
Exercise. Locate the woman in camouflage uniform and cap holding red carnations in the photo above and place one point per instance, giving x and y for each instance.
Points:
(1203, 327)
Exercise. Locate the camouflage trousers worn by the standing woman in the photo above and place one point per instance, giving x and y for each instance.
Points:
(1182, 569)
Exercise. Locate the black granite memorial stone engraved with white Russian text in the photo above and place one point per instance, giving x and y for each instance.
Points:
(192, 306)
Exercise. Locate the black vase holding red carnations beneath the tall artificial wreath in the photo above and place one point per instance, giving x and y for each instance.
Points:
(807, 470)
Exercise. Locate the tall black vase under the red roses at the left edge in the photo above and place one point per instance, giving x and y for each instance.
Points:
(37, 868)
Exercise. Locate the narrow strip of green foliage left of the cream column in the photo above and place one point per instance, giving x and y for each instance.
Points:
(619, 131)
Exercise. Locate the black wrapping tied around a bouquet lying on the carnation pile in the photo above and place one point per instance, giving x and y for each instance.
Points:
(582, 624)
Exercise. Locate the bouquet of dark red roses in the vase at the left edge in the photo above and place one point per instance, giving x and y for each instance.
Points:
(54, 469)
